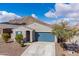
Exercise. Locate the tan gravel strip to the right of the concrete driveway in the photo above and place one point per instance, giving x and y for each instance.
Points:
(60, 52)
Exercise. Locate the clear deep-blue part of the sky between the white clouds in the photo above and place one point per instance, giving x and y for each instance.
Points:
(27, 9)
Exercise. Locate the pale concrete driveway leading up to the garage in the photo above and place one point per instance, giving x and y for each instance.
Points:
(40, 49)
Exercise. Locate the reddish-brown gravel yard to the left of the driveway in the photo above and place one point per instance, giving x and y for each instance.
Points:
(11, 49)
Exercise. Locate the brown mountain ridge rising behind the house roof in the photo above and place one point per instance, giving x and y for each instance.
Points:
(29, 20)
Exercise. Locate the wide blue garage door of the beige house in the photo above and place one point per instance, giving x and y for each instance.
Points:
(44, 36)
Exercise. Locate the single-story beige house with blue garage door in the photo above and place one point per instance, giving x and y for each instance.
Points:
(34, 32)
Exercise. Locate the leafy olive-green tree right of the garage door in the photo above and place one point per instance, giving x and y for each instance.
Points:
(63, 33)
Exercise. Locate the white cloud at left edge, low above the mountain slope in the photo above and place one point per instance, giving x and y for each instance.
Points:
(6, 16)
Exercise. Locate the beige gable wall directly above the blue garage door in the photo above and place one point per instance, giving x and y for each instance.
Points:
(40, 28)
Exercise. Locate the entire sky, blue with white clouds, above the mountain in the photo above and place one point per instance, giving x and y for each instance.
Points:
(47, 12)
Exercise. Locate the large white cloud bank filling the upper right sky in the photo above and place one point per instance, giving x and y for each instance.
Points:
(70, 12)
